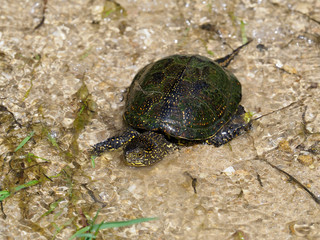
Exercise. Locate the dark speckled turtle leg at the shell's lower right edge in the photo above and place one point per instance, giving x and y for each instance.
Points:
(235, 127)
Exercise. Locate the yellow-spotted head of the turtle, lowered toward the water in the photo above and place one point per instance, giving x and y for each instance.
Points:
(147, 149)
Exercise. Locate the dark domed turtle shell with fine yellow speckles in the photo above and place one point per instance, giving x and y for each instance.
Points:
(185, 96)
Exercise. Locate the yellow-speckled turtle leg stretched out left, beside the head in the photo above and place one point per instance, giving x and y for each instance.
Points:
(114, 142)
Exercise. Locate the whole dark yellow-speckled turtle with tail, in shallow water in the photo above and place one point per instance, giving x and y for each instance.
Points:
(179, 100)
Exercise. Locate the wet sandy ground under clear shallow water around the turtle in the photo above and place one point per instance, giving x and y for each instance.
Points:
(65, 67)
